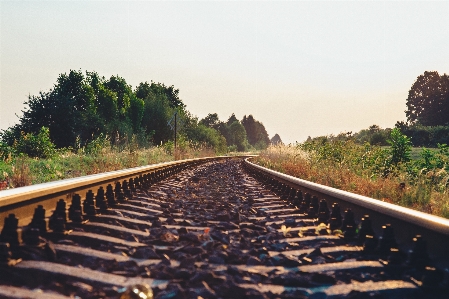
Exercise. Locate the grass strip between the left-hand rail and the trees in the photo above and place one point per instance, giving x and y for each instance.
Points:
(23, 170)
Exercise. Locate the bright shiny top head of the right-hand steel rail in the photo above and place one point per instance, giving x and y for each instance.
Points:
(427, 221)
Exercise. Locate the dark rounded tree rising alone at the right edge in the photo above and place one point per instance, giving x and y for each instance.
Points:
(428, 100)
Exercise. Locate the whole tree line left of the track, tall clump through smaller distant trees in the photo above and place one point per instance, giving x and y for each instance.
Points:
(83, 108)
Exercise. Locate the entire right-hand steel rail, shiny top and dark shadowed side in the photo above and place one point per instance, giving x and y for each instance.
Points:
(407, 223)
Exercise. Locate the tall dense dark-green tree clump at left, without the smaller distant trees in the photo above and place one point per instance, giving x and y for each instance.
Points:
(81, 107)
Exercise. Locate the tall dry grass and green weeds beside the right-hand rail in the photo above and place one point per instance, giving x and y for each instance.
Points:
(364, 170)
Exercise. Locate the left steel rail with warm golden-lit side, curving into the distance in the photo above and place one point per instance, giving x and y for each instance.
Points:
(23, 200)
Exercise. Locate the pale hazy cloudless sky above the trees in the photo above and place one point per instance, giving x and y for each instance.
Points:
(302, 68)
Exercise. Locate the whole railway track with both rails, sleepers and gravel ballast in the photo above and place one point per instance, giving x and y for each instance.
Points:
(214, 228)
